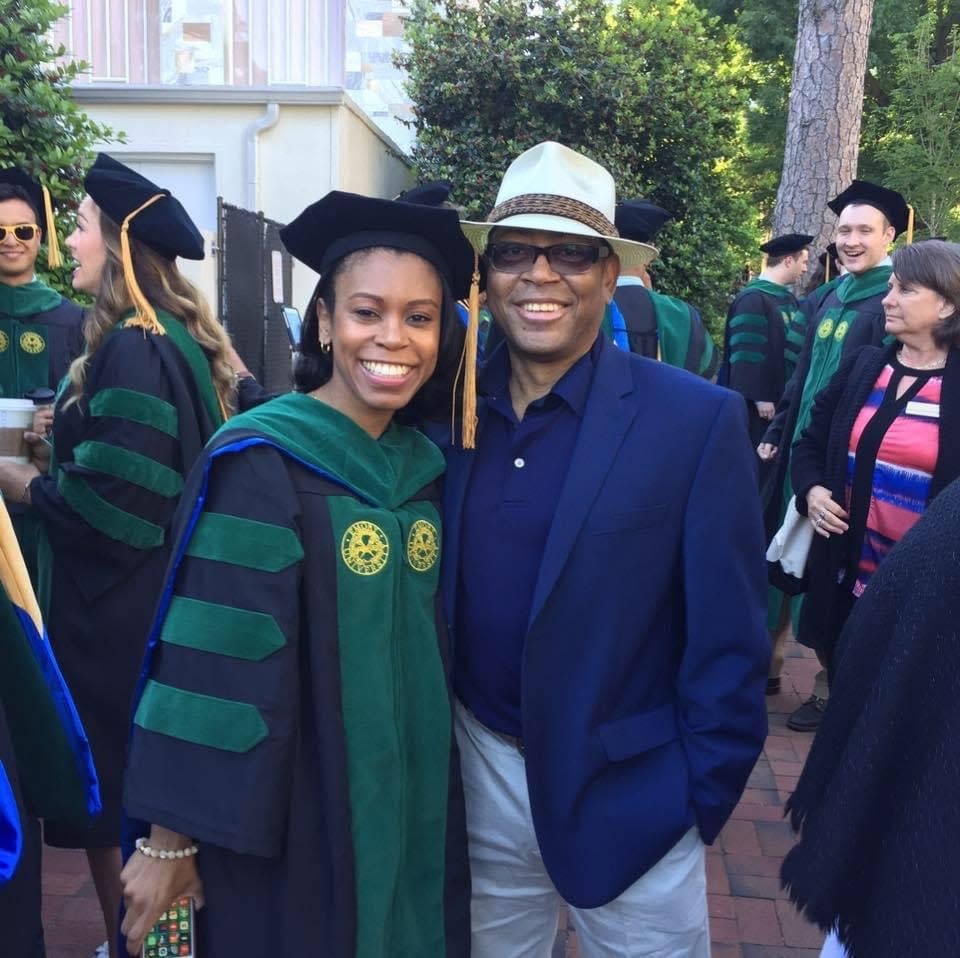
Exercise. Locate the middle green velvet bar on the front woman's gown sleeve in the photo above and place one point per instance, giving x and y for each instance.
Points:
(221, 629)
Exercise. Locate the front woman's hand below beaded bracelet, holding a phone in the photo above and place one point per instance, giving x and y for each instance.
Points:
(150, 885)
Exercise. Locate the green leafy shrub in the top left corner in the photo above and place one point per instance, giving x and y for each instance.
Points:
(42, 130)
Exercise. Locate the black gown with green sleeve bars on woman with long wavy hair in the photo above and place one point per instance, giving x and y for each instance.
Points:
(121, 454)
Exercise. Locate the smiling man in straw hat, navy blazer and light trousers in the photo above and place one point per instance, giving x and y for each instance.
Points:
(604, 586)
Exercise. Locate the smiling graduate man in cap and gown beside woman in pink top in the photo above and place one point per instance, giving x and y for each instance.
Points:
(870, 217)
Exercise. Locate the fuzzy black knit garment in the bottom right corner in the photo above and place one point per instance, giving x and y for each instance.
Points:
(877, 800)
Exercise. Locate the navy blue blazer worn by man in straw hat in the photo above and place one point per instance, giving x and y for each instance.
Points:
(646, 654)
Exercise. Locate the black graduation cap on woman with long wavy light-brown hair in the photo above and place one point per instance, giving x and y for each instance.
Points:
(124, 195)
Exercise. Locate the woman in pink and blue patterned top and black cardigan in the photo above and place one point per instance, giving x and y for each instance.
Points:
(883, 439)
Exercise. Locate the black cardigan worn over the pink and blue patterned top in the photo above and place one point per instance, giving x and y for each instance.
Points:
(820, 458)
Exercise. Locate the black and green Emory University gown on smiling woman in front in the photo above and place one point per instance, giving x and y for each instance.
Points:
(297, 683)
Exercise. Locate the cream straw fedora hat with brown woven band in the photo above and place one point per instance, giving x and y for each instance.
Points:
(554, 189)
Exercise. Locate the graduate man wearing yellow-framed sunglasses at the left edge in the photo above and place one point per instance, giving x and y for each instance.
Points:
(41, 332)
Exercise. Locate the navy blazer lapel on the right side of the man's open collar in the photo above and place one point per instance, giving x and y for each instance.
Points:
(606, 419)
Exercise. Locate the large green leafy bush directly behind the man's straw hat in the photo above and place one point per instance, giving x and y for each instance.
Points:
(655, 90)
